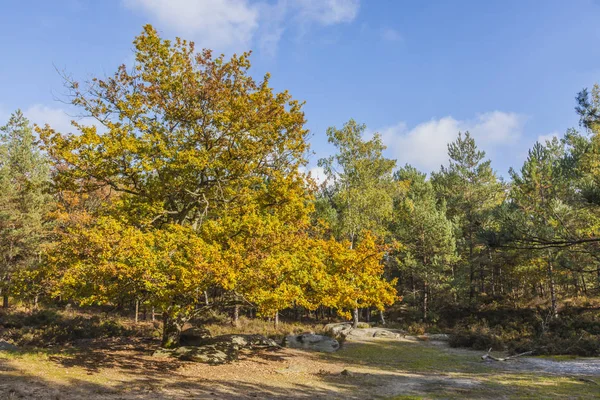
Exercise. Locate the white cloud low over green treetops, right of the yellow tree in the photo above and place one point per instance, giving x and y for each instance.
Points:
(426, 145)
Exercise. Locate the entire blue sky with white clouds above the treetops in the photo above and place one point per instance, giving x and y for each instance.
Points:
(415, 71)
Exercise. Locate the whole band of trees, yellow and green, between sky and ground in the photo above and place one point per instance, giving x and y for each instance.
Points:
(180, 195)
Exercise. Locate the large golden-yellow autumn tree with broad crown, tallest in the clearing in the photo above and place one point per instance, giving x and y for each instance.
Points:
(205, 163)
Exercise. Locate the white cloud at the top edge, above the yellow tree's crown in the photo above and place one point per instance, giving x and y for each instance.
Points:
(237, 24)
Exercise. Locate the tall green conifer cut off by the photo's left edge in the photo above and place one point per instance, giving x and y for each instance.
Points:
(24, 202)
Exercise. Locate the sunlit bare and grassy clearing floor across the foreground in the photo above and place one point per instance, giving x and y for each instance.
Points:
(378, 368)
